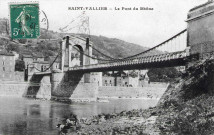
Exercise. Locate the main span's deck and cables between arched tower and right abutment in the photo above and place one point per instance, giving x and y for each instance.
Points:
(172, 53)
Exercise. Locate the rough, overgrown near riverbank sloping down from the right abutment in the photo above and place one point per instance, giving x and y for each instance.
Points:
(185, 108)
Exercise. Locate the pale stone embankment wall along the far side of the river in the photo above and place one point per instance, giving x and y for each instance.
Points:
(43, 91)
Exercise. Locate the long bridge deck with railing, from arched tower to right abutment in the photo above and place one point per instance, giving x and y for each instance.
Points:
(154, 61)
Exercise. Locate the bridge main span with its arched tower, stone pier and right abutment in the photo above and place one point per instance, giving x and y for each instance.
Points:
(190, 45)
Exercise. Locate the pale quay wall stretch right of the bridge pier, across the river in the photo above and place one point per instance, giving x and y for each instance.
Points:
(150, 91)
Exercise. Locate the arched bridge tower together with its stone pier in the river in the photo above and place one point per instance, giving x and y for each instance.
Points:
(66, 85)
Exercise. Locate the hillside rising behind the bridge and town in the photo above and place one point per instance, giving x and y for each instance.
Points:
(110, 46)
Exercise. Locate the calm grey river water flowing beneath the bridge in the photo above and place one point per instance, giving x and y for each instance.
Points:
(21, 116)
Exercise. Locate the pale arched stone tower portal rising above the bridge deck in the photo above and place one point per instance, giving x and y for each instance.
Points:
(80, 45)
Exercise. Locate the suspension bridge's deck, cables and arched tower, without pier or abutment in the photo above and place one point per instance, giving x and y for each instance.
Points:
(171, 52)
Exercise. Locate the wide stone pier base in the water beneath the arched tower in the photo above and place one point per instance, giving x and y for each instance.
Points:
(67, 86)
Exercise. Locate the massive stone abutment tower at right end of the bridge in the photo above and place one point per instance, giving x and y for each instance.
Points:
(200, 30)
